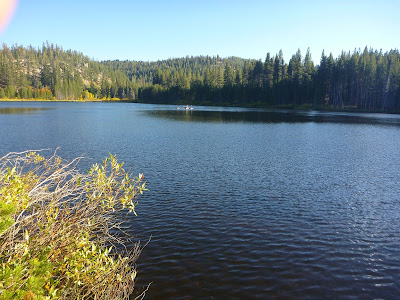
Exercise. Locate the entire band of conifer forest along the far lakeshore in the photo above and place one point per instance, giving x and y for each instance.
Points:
(366, 79)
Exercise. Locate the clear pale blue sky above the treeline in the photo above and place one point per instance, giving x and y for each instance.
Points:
(150, 30)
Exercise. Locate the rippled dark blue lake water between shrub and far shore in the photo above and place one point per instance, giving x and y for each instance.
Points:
(243, 203)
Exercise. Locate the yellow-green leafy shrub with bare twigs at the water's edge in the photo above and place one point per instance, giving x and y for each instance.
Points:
(55, 222)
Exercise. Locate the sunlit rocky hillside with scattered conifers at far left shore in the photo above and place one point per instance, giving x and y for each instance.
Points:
(51, 72)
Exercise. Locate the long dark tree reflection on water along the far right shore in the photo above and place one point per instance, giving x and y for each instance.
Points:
(274, 116)
